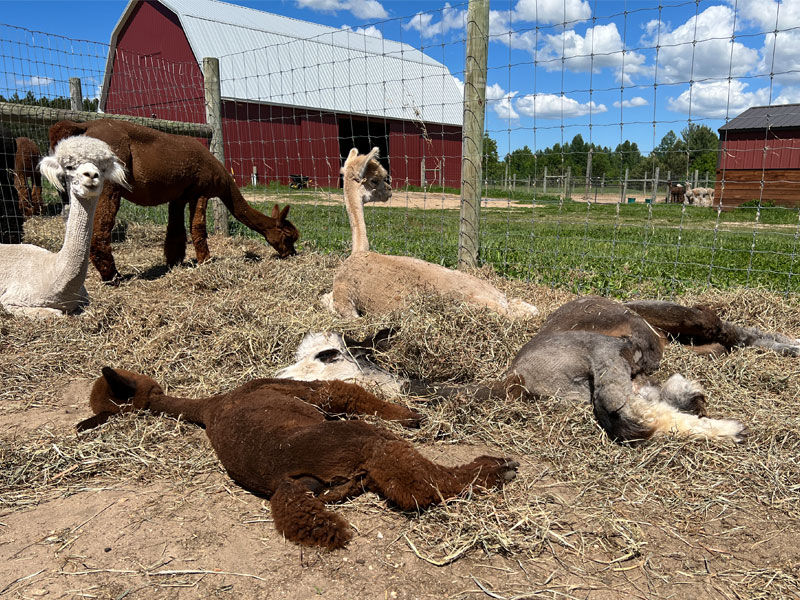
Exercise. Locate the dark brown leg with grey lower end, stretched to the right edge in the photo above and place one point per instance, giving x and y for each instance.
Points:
(700, 325)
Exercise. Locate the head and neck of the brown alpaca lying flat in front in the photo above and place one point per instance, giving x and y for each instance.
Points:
(119, 391)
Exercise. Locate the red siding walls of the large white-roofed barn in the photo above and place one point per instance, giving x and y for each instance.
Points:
(155, 74)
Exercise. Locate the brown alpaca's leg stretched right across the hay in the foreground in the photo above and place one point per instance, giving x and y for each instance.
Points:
(403, 476)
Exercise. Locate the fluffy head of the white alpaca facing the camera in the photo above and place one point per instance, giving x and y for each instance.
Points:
(81, 165)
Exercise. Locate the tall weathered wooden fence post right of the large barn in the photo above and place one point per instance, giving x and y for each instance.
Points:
(472, 141)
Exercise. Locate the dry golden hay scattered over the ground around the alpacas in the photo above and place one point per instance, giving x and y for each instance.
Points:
(586, 517)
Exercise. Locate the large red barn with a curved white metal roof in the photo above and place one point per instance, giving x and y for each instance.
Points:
(296, 95)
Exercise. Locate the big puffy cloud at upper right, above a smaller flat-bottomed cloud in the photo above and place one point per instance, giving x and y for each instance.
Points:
(700, 48)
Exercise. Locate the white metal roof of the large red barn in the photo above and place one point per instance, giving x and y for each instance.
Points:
(270, 58)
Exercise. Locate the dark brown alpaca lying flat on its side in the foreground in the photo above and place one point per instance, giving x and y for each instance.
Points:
(281, 438)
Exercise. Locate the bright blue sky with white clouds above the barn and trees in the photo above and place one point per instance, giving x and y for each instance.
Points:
(609, 70)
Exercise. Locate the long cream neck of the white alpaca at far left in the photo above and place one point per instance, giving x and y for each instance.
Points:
(72, 261)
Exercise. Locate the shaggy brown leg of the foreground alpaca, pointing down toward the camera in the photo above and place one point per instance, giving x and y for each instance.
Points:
(303, 518)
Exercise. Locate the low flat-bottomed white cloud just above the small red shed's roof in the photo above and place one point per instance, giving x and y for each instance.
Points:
(718, 99)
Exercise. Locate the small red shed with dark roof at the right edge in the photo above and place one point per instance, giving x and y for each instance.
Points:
(760, 157)
